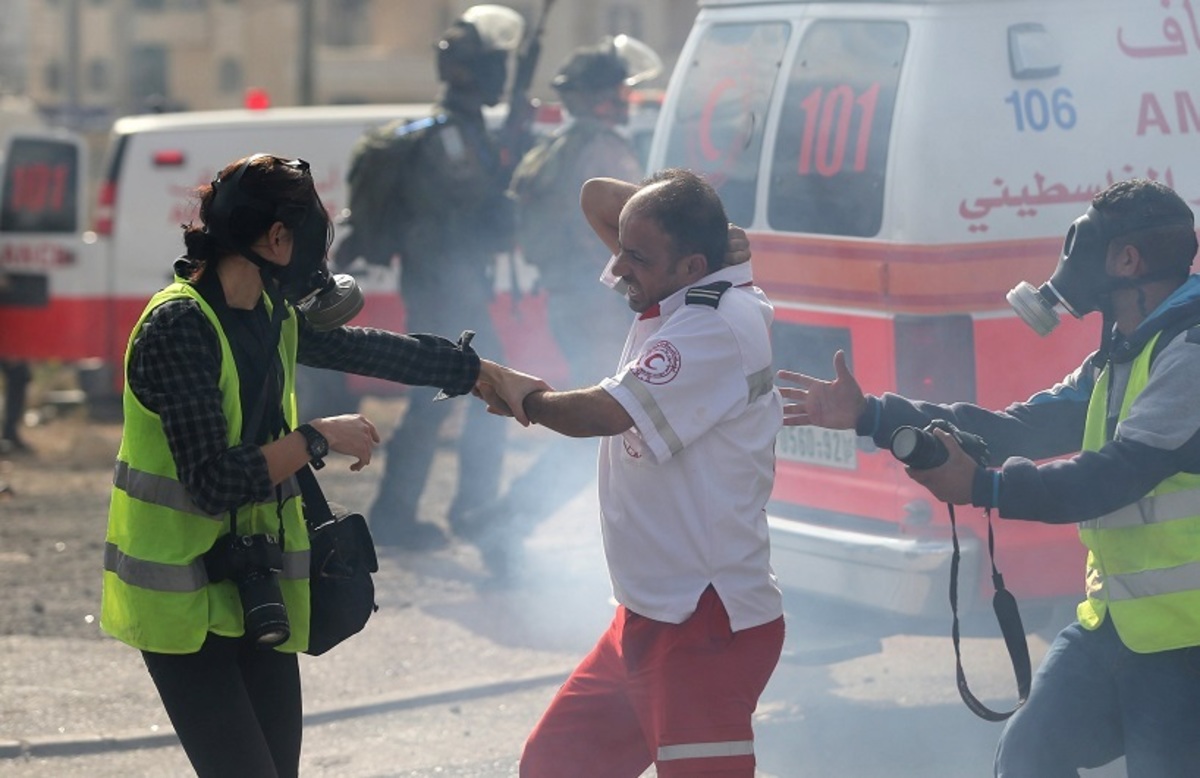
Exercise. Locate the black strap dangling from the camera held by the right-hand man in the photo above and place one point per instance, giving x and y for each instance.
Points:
(1010, 619)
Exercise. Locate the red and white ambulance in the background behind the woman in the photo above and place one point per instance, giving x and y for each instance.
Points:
(76, 292)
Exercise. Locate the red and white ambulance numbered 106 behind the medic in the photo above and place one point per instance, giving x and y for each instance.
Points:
(901, 166)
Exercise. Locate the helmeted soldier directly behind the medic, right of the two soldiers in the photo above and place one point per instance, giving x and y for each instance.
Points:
(595, 86)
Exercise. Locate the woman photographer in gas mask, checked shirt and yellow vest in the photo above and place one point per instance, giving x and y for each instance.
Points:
(206, 514)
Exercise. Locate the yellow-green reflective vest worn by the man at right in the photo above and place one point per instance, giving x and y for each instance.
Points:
(1144, 560)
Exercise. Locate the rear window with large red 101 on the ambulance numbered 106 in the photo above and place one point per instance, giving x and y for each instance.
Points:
(832, 149)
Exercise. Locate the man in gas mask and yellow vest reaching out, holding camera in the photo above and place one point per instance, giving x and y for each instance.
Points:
(1124, 679)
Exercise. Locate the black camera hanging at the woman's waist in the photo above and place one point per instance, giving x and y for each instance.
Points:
(254, 564)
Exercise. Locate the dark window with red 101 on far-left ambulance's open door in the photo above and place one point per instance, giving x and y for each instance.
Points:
(40, 187)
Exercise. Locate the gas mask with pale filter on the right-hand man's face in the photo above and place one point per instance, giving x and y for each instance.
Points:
(1081, 283)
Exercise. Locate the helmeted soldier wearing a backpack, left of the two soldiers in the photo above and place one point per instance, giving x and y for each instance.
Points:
(452, 218)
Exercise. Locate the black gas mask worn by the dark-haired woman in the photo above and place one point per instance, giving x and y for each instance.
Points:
(327, 301)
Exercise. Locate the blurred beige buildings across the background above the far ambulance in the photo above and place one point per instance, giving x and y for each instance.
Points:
(88, 62)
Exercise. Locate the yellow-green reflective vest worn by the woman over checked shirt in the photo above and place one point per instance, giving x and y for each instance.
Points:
(157, 594)
